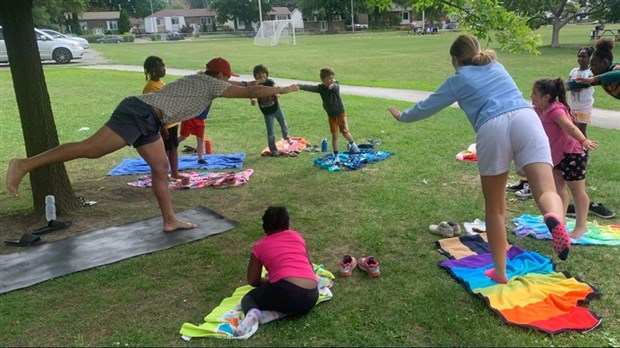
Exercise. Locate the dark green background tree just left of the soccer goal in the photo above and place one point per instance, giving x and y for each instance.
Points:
(245, 11)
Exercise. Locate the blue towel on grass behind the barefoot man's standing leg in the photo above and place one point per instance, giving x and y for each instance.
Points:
(131, 166)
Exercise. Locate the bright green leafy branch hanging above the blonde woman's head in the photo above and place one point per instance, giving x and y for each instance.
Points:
(490, 21)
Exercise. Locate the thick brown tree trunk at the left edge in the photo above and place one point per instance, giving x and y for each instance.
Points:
(35, 110)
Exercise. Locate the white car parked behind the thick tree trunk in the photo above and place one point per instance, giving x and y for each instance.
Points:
(60, 50)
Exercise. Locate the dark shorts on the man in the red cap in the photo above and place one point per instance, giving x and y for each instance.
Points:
(135, 121)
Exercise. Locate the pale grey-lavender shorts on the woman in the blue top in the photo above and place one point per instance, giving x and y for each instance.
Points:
(516, 135)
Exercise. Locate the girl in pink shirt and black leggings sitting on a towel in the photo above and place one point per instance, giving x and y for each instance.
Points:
(291, 286)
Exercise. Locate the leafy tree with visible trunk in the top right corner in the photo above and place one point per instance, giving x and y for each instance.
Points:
(558, 13)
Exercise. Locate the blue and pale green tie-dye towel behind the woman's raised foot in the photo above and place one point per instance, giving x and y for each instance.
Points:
(531, 225)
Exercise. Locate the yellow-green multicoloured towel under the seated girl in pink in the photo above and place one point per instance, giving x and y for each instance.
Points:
(224, 319)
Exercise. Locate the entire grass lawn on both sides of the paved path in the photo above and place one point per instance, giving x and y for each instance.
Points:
(383, 210)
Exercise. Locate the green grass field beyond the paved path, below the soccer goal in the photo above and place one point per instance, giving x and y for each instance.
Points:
(378, 59)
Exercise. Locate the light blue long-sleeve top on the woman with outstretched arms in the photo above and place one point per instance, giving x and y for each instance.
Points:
(483, 92)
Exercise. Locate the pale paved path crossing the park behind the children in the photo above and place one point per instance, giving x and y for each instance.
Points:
(601, 117)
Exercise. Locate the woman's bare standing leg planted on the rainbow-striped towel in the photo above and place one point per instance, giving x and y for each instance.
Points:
(495, 211)
